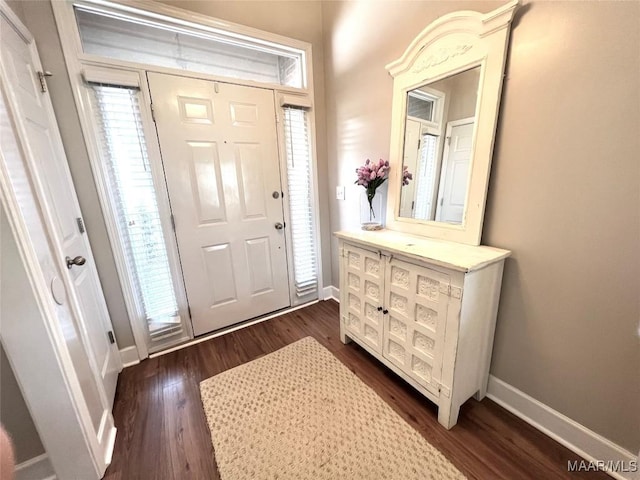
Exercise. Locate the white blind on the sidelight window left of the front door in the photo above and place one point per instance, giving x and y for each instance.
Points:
(130, 184)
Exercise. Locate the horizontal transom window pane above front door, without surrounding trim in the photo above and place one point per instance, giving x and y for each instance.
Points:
(134, 37)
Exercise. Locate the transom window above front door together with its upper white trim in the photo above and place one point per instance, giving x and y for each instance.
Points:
(136, 34)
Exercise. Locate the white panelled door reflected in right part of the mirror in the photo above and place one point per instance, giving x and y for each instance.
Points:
(455, 171)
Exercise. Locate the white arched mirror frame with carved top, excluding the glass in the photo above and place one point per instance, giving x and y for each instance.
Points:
(452, 44)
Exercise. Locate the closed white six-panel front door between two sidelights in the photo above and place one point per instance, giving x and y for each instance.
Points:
(220, 155)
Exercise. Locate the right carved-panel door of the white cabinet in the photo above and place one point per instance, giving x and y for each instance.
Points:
(417, 301)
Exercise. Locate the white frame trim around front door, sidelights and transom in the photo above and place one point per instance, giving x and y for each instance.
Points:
(76, 61)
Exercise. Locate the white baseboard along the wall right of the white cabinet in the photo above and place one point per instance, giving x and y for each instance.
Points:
(576, 437)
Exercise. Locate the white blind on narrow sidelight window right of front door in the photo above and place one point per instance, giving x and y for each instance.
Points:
(297, 139)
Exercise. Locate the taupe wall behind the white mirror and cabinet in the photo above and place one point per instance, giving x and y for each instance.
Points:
(564, 192)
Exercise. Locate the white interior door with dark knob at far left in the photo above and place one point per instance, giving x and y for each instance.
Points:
(37, 127)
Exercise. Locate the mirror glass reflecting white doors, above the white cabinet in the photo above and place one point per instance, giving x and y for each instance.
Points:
(438, 144)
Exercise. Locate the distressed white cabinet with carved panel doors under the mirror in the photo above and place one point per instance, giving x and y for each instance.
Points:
(425, 308)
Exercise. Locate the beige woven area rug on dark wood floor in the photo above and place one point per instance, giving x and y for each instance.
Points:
(299, 413)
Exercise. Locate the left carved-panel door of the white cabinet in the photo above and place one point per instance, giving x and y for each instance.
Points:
(361, 291)
